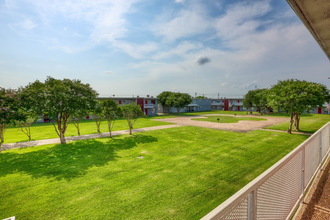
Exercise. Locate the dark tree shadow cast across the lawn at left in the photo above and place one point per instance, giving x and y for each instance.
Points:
(70, 160)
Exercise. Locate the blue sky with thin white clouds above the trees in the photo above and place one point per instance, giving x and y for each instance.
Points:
(145, 47)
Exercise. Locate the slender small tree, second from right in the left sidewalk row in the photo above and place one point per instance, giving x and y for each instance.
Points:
(111, 112)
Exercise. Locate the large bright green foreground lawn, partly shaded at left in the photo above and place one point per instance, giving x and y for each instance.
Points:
(185, 172)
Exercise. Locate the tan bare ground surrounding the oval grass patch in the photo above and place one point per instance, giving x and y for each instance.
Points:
(241, 126)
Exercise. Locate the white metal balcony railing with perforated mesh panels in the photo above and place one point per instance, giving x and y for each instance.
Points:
(277, 192)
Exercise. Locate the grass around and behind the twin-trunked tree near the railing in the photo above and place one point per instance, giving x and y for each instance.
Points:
(309, 123)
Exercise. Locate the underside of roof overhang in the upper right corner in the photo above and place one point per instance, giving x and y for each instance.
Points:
(316, 17)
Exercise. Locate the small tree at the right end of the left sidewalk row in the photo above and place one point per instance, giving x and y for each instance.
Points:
(132, 113)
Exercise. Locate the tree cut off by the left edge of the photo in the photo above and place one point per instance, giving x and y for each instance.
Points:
(9, 111)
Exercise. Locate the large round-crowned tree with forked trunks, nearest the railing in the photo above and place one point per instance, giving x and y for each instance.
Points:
(295, 97)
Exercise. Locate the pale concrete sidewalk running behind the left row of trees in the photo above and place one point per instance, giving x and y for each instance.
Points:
(81, 137)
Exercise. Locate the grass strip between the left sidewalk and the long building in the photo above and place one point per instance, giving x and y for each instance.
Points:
(41, 131)
